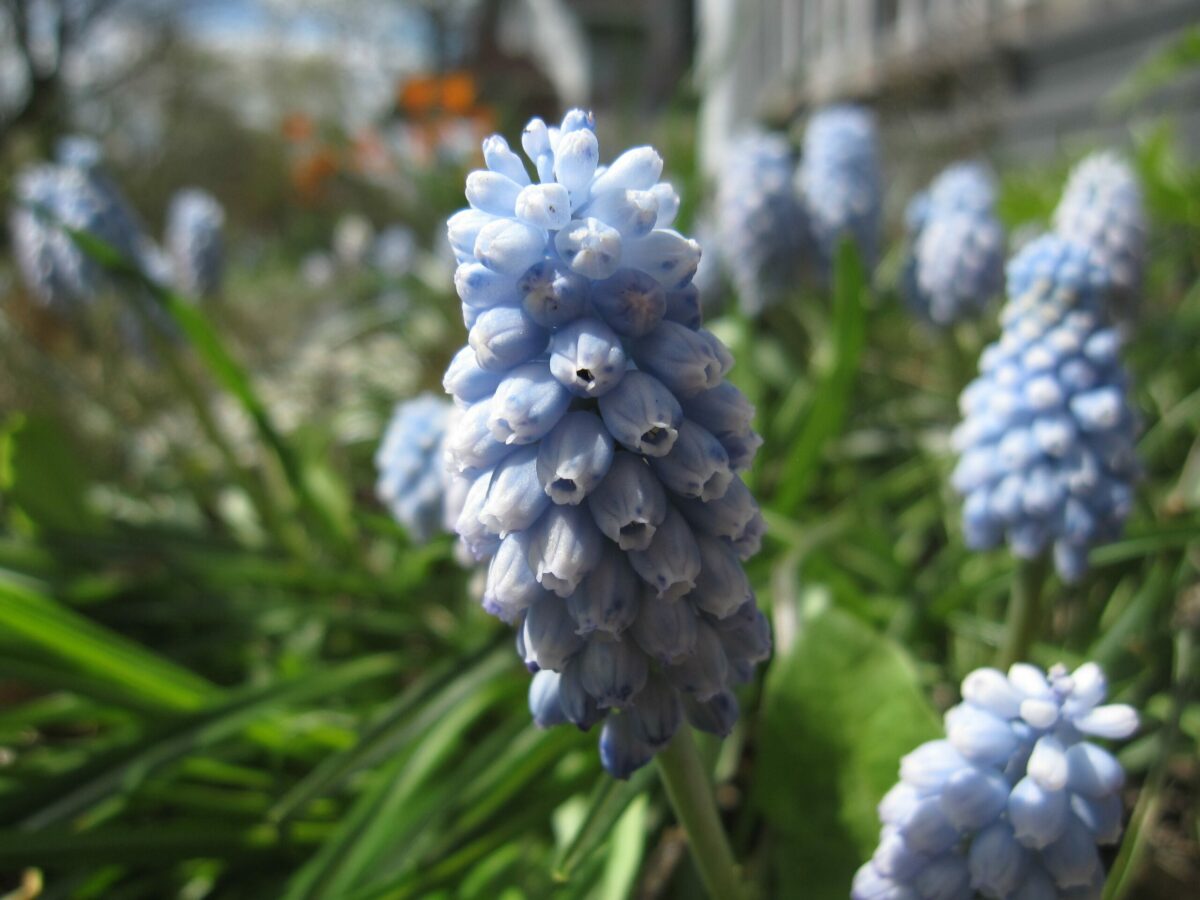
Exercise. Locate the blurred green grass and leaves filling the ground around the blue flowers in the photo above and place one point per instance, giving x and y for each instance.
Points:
(226, 674)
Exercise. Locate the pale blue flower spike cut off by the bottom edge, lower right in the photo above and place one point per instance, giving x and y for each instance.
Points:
(1013, 802)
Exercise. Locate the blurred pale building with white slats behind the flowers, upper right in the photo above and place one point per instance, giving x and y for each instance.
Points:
(1021, 76)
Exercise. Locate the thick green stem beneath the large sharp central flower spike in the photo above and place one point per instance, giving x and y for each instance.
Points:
(691, 793)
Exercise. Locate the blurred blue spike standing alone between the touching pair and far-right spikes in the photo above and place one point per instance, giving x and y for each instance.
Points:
(957, 247)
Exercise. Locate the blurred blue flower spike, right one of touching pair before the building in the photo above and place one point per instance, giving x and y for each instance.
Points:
(841, 183)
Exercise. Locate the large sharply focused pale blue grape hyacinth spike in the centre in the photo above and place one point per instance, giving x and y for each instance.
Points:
(599, 445)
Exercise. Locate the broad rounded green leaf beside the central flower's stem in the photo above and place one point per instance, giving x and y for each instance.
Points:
(842, 706)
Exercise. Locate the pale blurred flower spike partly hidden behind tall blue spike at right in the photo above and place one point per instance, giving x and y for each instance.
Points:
(1102, 207)
